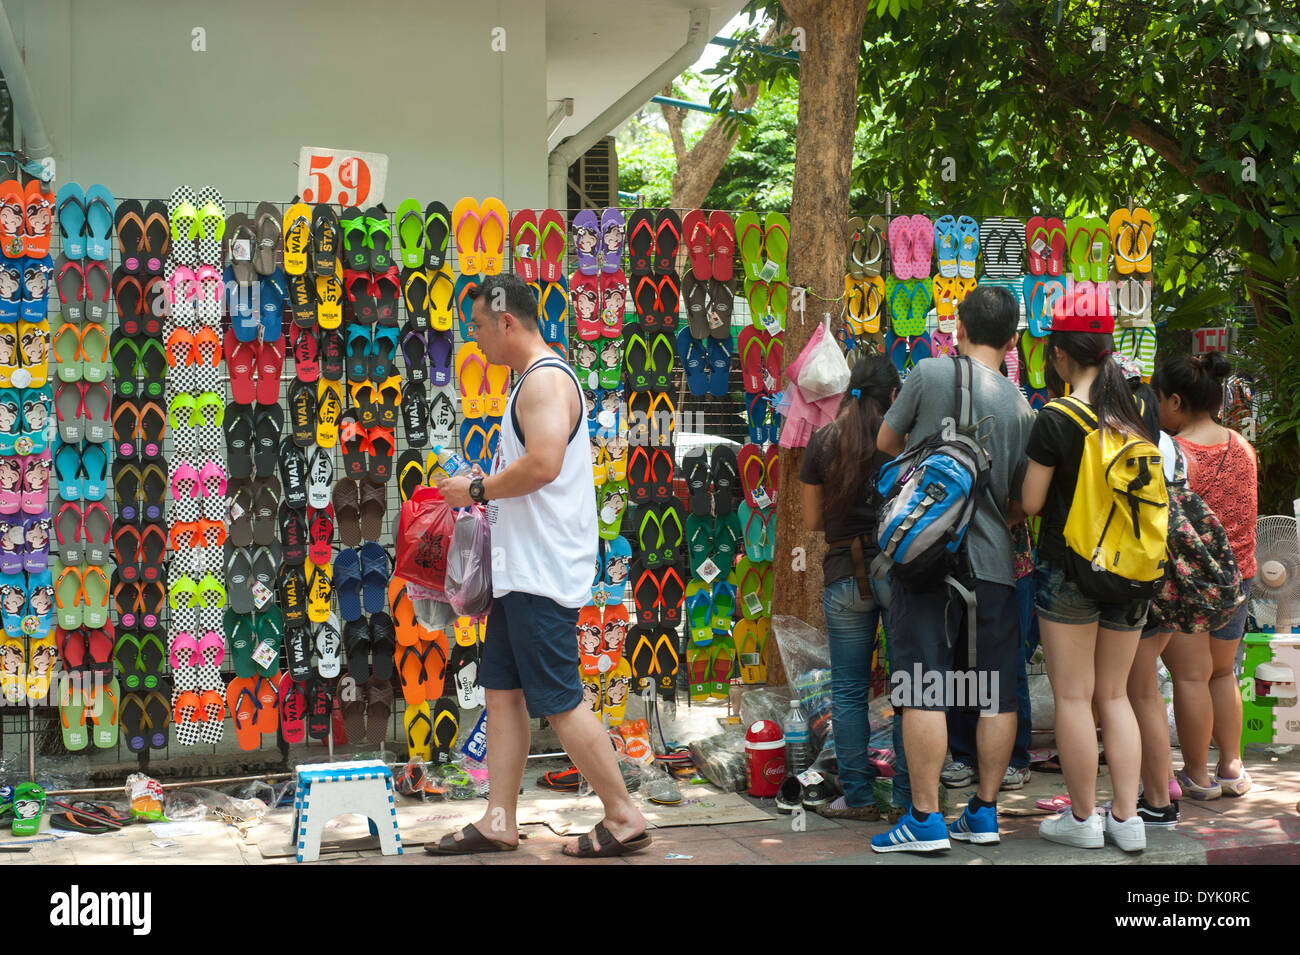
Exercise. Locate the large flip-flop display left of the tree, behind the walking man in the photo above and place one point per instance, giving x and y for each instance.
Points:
(228, 554)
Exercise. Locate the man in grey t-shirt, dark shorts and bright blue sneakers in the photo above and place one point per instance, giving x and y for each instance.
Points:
(929, 627)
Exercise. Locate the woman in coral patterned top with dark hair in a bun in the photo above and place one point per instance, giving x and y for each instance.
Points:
(1221, 468)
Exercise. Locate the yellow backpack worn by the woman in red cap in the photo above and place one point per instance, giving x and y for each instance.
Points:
(1119, 520)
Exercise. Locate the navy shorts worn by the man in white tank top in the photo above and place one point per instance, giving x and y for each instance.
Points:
(531, 645)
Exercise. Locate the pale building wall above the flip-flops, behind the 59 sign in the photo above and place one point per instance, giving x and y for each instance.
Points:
(129, 103)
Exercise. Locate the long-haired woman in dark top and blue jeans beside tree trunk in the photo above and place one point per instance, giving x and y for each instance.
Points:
(839, 477)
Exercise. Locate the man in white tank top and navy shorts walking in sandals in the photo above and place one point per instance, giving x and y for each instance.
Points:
(541, 503)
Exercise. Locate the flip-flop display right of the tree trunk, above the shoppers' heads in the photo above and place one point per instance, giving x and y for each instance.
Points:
(908, 275)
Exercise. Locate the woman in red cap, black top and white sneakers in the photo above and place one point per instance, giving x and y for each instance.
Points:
(1089, 645)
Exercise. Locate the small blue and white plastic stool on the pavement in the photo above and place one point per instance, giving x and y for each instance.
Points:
(327, 791)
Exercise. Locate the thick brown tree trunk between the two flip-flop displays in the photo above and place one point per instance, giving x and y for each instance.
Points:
(820, 209)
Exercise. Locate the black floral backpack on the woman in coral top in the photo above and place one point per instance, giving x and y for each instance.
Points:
(1202, 588)
